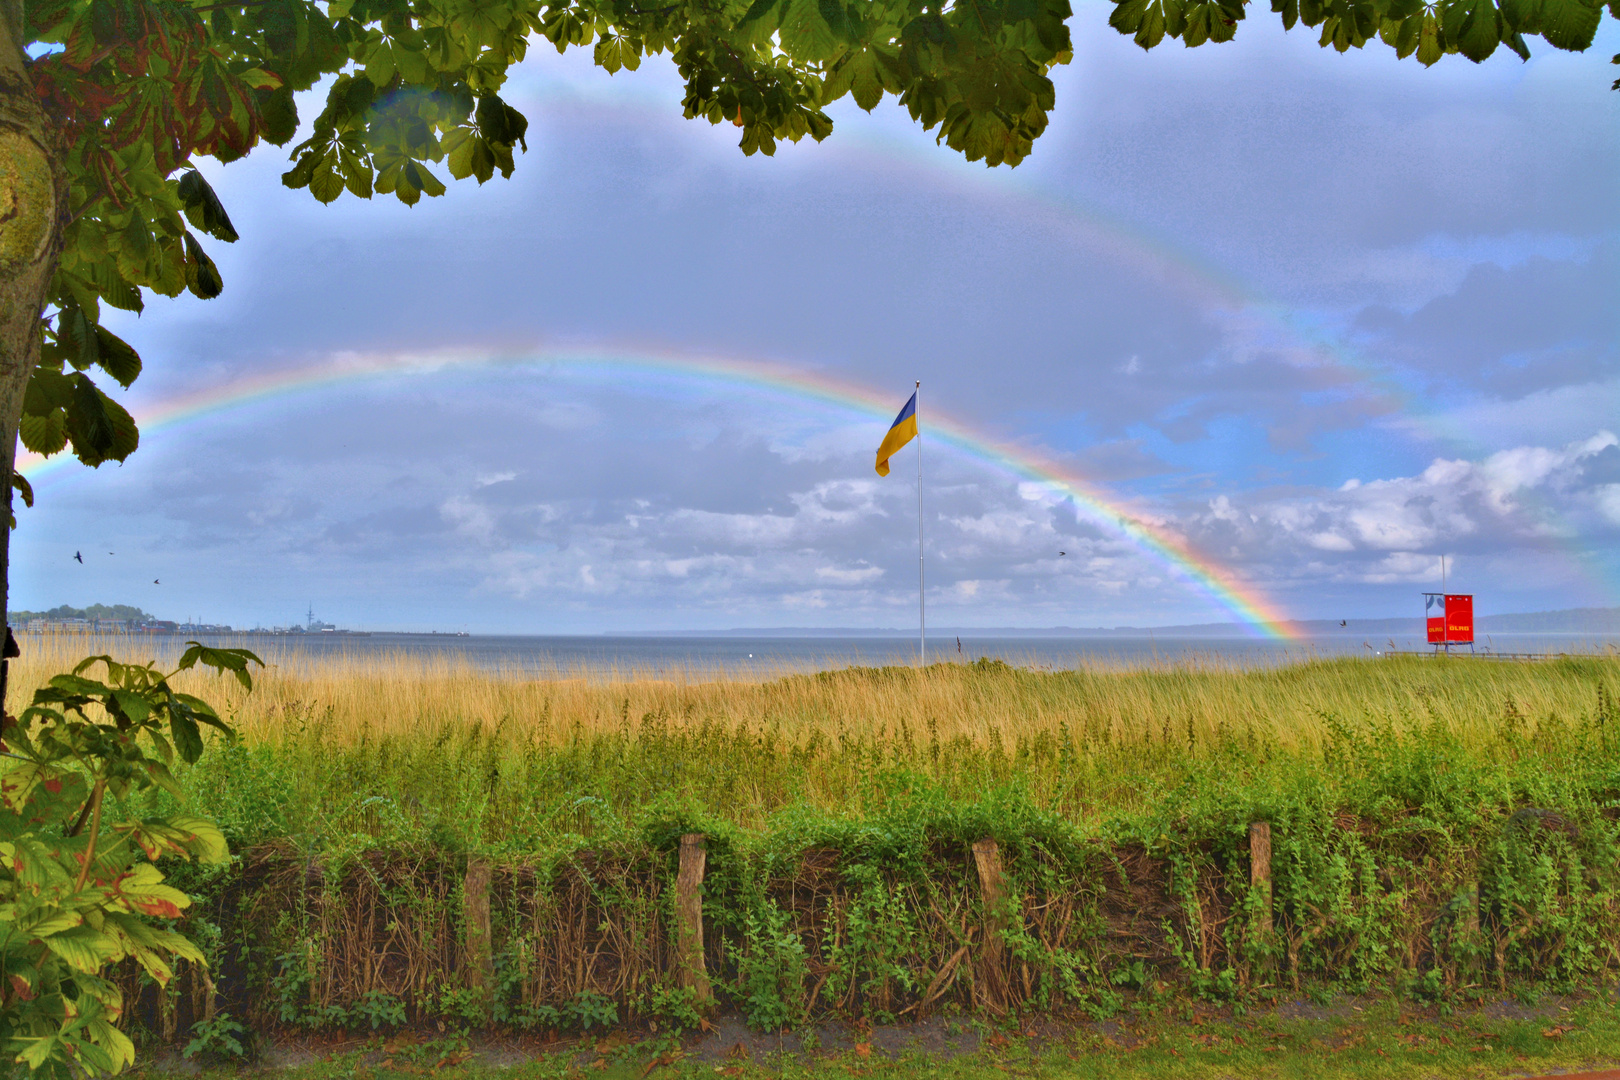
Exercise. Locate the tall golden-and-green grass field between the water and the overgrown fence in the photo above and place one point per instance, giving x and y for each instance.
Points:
(386, 744)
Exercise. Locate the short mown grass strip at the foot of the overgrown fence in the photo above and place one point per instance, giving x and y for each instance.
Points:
(1297, 1042)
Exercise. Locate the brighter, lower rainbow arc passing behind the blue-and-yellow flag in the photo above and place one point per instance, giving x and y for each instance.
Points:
(1157, 542)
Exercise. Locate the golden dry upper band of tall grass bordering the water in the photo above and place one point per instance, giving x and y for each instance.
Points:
(399, 695)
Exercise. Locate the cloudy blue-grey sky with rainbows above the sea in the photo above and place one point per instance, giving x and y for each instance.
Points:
(1260, 331)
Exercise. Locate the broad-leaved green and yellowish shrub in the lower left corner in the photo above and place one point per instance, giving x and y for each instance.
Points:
(80, 887)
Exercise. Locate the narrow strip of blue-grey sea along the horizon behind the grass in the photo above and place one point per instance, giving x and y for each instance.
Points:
(769, 655)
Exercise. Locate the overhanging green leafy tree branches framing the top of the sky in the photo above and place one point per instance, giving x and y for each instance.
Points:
(143, 88)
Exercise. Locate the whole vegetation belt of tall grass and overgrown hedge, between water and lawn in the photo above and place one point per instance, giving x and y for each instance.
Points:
(1439, 828)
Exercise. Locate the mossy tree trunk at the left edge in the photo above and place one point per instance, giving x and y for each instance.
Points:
(33, 218)
